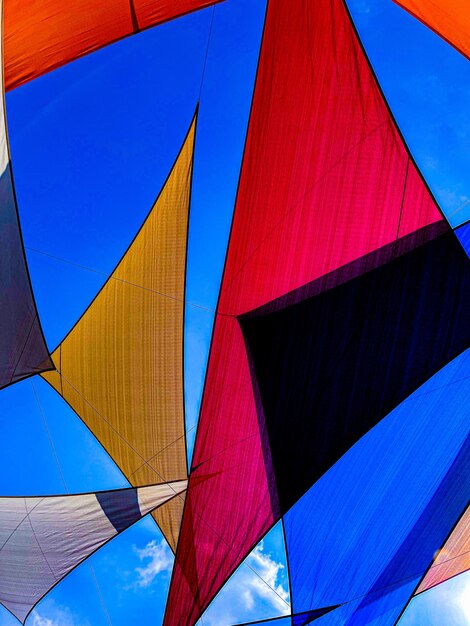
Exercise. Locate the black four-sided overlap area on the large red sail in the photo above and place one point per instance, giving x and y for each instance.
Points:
(327, 368)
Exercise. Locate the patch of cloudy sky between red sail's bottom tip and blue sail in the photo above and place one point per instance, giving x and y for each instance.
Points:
(256, 591)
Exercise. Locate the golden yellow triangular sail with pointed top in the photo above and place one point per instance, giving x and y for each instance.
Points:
(121, 366)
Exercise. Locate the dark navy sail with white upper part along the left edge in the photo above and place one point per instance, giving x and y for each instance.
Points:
(23, 350)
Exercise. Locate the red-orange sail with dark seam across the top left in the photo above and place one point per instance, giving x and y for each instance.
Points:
(41, 35)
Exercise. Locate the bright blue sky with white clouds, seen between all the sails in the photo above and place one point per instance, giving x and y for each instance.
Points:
(91, 145)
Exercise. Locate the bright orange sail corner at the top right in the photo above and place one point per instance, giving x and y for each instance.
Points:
(450, 19)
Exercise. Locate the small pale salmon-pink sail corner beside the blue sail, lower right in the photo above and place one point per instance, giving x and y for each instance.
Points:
(452, 559)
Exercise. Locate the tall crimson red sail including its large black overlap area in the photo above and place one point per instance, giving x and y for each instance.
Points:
(339, 261)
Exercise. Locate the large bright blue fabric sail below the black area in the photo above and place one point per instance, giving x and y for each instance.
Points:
(397, 494)
